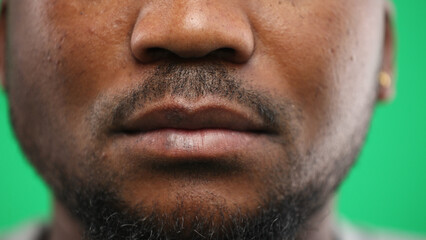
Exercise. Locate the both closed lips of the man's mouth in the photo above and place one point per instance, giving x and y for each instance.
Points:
(198, 130)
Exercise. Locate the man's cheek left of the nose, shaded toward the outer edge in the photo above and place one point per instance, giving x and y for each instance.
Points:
(57, 64)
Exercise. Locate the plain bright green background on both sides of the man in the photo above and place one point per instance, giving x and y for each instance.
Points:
(387, 187)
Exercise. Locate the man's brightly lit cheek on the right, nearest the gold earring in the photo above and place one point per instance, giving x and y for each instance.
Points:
(326, 60)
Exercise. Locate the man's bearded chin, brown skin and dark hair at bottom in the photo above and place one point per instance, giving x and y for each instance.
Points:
(200, 215)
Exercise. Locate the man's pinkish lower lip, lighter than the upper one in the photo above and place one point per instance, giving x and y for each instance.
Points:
(205, 143)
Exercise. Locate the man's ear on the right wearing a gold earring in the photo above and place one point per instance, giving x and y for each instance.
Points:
(387, 76)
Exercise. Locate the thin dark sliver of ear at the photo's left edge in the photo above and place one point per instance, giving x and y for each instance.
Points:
(3, 43)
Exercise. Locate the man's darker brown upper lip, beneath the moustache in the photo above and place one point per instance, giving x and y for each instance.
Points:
(200, 115)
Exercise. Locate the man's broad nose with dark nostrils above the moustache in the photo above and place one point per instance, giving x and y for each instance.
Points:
(192, 29)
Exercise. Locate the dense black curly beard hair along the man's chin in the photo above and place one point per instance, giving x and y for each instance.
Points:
(105, 217)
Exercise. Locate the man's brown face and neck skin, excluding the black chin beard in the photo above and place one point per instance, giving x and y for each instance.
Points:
(85, 81)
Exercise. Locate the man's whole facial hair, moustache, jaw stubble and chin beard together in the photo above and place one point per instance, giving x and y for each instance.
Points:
(281, 214)
